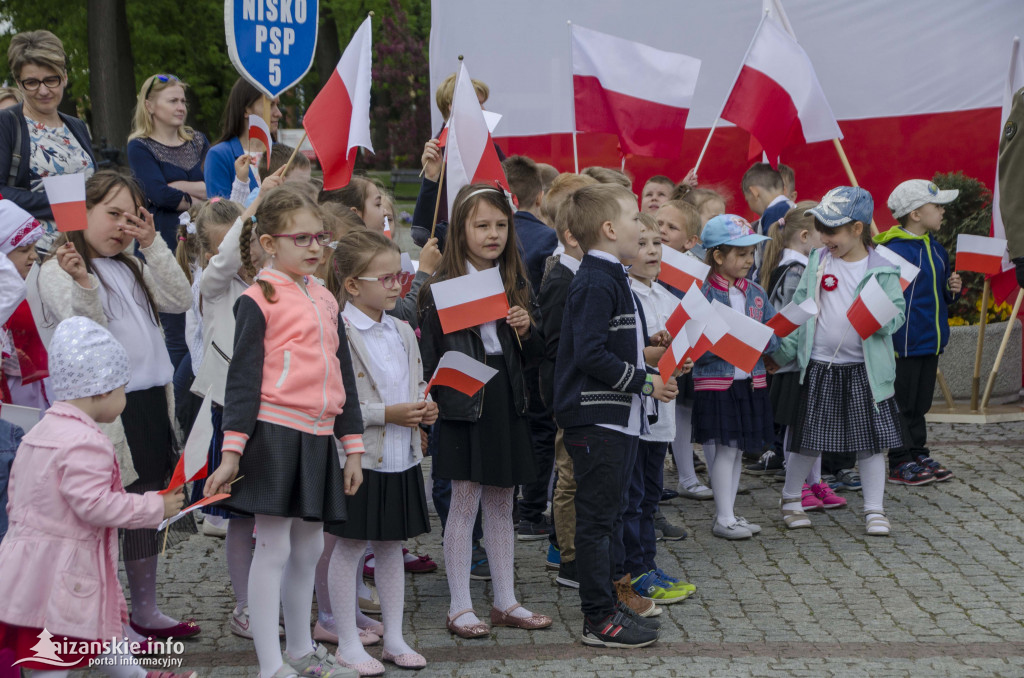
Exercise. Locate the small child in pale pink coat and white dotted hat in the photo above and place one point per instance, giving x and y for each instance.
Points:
(59, 565)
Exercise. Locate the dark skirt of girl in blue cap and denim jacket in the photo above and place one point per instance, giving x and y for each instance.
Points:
(740, 416)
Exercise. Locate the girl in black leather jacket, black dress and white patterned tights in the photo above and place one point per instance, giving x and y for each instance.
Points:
(485, 447)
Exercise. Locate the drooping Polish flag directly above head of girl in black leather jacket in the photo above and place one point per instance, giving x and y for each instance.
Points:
(471, 155)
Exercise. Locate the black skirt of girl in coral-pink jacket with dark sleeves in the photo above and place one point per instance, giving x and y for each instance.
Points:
(291, 475)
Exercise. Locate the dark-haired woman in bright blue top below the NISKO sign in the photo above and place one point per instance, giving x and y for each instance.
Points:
(220, 169)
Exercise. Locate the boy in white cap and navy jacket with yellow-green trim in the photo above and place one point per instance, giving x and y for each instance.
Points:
(918, 206)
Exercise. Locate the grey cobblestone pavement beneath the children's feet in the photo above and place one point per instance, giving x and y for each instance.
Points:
(942, 598)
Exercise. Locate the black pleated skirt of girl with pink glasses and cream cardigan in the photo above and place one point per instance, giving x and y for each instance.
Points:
(388, 507)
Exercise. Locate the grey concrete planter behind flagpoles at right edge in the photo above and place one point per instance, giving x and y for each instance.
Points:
(958, 363)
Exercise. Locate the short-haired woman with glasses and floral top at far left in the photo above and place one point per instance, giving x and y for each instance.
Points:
(36, 140)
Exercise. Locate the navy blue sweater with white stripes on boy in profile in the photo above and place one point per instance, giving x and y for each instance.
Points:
(596, 373)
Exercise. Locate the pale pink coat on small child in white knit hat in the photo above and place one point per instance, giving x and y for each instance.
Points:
(59, 564)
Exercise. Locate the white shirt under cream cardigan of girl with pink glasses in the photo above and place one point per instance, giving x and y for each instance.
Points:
(390, 366)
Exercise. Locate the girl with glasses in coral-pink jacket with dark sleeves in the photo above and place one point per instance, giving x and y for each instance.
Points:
(285, 404)
